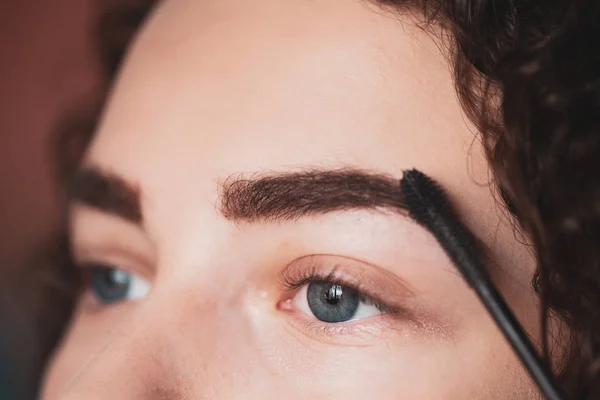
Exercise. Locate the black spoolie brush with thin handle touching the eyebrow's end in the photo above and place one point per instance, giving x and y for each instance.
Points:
(427, 204)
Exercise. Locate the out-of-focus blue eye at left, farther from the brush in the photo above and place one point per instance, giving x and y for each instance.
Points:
(110, 284)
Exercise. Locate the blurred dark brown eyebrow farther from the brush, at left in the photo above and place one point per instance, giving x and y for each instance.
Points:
(106, 192)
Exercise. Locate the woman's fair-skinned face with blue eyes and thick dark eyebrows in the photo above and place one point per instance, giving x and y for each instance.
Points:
(237, 224)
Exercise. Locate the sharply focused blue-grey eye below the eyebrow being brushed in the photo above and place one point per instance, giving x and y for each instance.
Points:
(334, 303)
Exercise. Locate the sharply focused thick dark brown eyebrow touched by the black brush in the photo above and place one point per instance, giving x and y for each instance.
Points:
(289, 196)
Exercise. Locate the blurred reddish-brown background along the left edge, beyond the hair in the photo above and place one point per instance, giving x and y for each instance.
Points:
(47, 66)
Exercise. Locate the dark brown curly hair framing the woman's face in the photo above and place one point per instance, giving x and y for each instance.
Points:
(527, 74)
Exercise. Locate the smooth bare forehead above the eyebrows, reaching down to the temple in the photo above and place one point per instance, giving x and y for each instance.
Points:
(212, 89)
